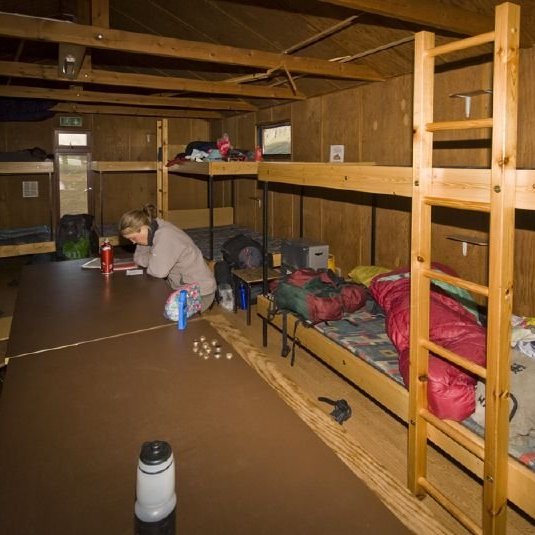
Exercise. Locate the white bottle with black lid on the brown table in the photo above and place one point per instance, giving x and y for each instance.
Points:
(155, 486)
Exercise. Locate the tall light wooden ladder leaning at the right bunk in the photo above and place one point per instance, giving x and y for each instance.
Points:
(494, 450)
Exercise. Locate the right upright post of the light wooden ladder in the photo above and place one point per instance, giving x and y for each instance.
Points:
(501, 265)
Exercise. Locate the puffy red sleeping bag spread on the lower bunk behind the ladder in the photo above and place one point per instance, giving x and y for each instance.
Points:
(451, 391)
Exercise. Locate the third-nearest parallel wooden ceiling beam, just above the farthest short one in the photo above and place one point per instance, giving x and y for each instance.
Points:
(121, 98)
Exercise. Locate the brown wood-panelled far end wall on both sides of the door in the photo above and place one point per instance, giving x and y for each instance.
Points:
(114, 138)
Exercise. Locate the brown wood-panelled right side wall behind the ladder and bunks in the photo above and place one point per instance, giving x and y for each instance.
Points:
(374, 122)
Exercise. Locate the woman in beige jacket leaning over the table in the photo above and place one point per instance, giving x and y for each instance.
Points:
(167, 252)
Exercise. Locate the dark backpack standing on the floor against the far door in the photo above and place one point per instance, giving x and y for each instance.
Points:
(76, 237)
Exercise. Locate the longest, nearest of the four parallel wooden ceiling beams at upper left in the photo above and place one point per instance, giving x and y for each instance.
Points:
(39, 29)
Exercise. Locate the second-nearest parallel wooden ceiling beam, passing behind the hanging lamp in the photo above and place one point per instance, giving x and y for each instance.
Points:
(147, 81)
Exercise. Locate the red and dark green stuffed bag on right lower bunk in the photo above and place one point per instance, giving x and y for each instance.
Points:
(316, 295)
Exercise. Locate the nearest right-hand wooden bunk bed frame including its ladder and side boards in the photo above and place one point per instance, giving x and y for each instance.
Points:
(499, 191)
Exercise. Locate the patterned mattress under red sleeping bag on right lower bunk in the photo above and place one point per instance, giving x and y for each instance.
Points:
(363, 334)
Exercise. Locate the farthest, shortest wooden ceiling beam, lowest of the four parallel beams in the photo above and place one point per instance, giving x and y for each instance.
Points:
(66, 107)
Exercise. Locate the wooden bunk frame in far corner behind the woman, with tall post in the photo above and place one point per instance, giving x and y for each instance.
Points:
(202, 217)
